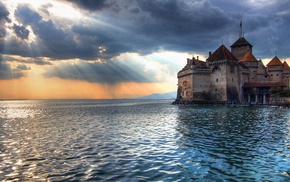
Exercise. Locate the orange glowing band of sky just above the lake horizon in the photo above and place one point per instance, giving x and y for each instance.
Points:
(55, 88)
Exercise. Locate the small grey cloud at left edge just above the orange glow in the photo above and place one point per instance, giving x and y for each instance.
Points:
(7, 73)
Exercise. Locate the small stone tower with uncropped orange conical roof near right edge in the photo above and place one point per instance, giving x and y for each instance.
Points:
(275, 70)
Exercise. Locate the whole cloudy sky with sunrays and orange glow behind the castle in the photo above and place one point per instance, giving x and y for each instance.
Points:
(113, 49)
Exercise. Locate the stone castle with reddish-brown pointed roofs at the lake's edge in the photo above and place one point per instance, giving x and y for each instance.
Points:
(234, 76)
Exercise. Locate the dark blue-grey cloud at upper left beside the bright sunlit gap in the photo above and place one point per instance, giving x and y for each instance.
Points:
(55, 42)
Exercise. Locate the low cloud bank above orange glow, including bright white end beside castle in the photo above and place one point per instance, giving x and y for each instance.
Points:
(126, 68)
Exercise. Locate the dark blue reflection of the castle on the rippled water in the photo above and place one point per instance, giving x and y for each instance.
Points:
(235, 143)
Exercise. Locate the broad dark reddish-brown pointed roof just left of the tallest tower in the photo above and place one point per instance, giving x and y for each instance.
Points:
(222, 53)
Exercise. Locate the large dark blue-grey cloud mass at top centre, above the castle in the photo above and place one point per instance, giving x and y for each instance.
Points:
(148, 26)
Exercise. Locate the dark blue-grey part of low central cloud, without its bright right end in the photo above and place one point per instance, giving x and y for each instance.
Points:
(111, 72)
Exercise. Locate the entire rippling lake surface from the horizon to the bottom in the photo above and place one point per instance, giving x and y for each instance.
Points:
(129, 140)
